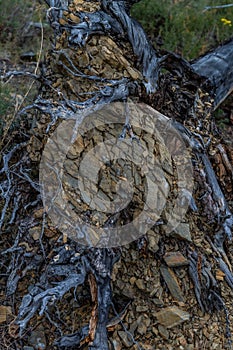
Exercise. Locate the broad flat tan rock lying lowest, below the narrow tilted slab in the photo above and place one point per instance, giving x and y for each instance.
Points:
(172, 316)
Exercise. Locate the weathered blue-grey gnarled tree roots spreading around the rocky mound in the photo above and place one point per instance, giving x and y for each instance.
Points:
(112, 18)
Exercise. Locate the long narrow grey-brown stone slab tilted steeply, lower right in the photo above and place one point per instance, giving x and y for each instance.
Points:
(172, 283)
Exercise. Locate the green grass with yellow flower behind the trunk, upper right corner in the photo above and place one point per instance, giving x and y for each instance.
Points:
(183, 26)
